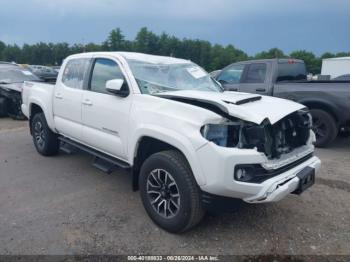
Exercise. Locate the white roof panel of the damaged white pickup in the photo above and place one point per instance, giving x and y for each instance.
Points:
(136, 56)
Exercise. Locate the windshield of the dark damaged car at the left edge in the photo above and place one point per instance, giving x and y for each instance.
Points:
(9, 76)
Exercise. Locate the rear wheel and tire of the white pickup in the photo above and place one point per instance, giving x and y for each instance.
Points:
(46, 142)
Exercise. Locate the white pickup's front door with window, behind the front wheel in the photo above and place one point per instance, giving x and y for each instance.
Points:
(105, 115)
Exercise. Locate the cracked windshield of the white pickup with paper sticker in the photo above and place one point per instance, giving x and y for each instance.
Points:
(154, 78)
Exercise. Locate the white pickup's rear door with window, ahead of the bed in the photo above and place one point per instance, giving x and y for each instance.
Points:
(68, 96)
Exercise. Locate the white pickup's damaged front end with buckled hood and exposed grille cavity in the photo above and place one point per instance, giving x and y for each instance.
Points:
(283, 134)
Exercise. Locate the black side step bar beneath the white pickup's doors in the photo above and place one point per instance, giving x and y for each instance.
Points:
(102, 161)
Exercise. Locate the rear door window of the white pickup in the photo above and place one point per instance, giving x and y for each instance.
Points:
(74, 72)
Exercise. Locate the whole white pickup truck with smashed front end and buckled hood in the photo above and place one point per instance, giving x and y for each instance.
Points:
(189, 145)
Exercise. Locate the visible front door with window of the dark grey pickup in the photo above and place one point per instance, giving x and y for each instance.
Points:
(231, 76)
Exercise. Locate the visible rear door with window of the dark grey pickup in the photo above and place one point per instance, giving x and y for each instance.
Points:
(255, 78)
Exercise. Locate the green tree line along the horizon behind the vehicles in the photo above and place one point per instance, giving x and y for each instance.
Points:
(210, 56)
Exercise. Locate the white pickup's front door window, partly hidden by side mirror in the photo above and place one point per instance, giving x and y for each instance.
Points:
(104, 70)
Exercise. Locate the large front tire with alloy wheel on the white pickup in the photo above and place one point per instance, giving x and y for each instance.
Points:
(176, 214)
